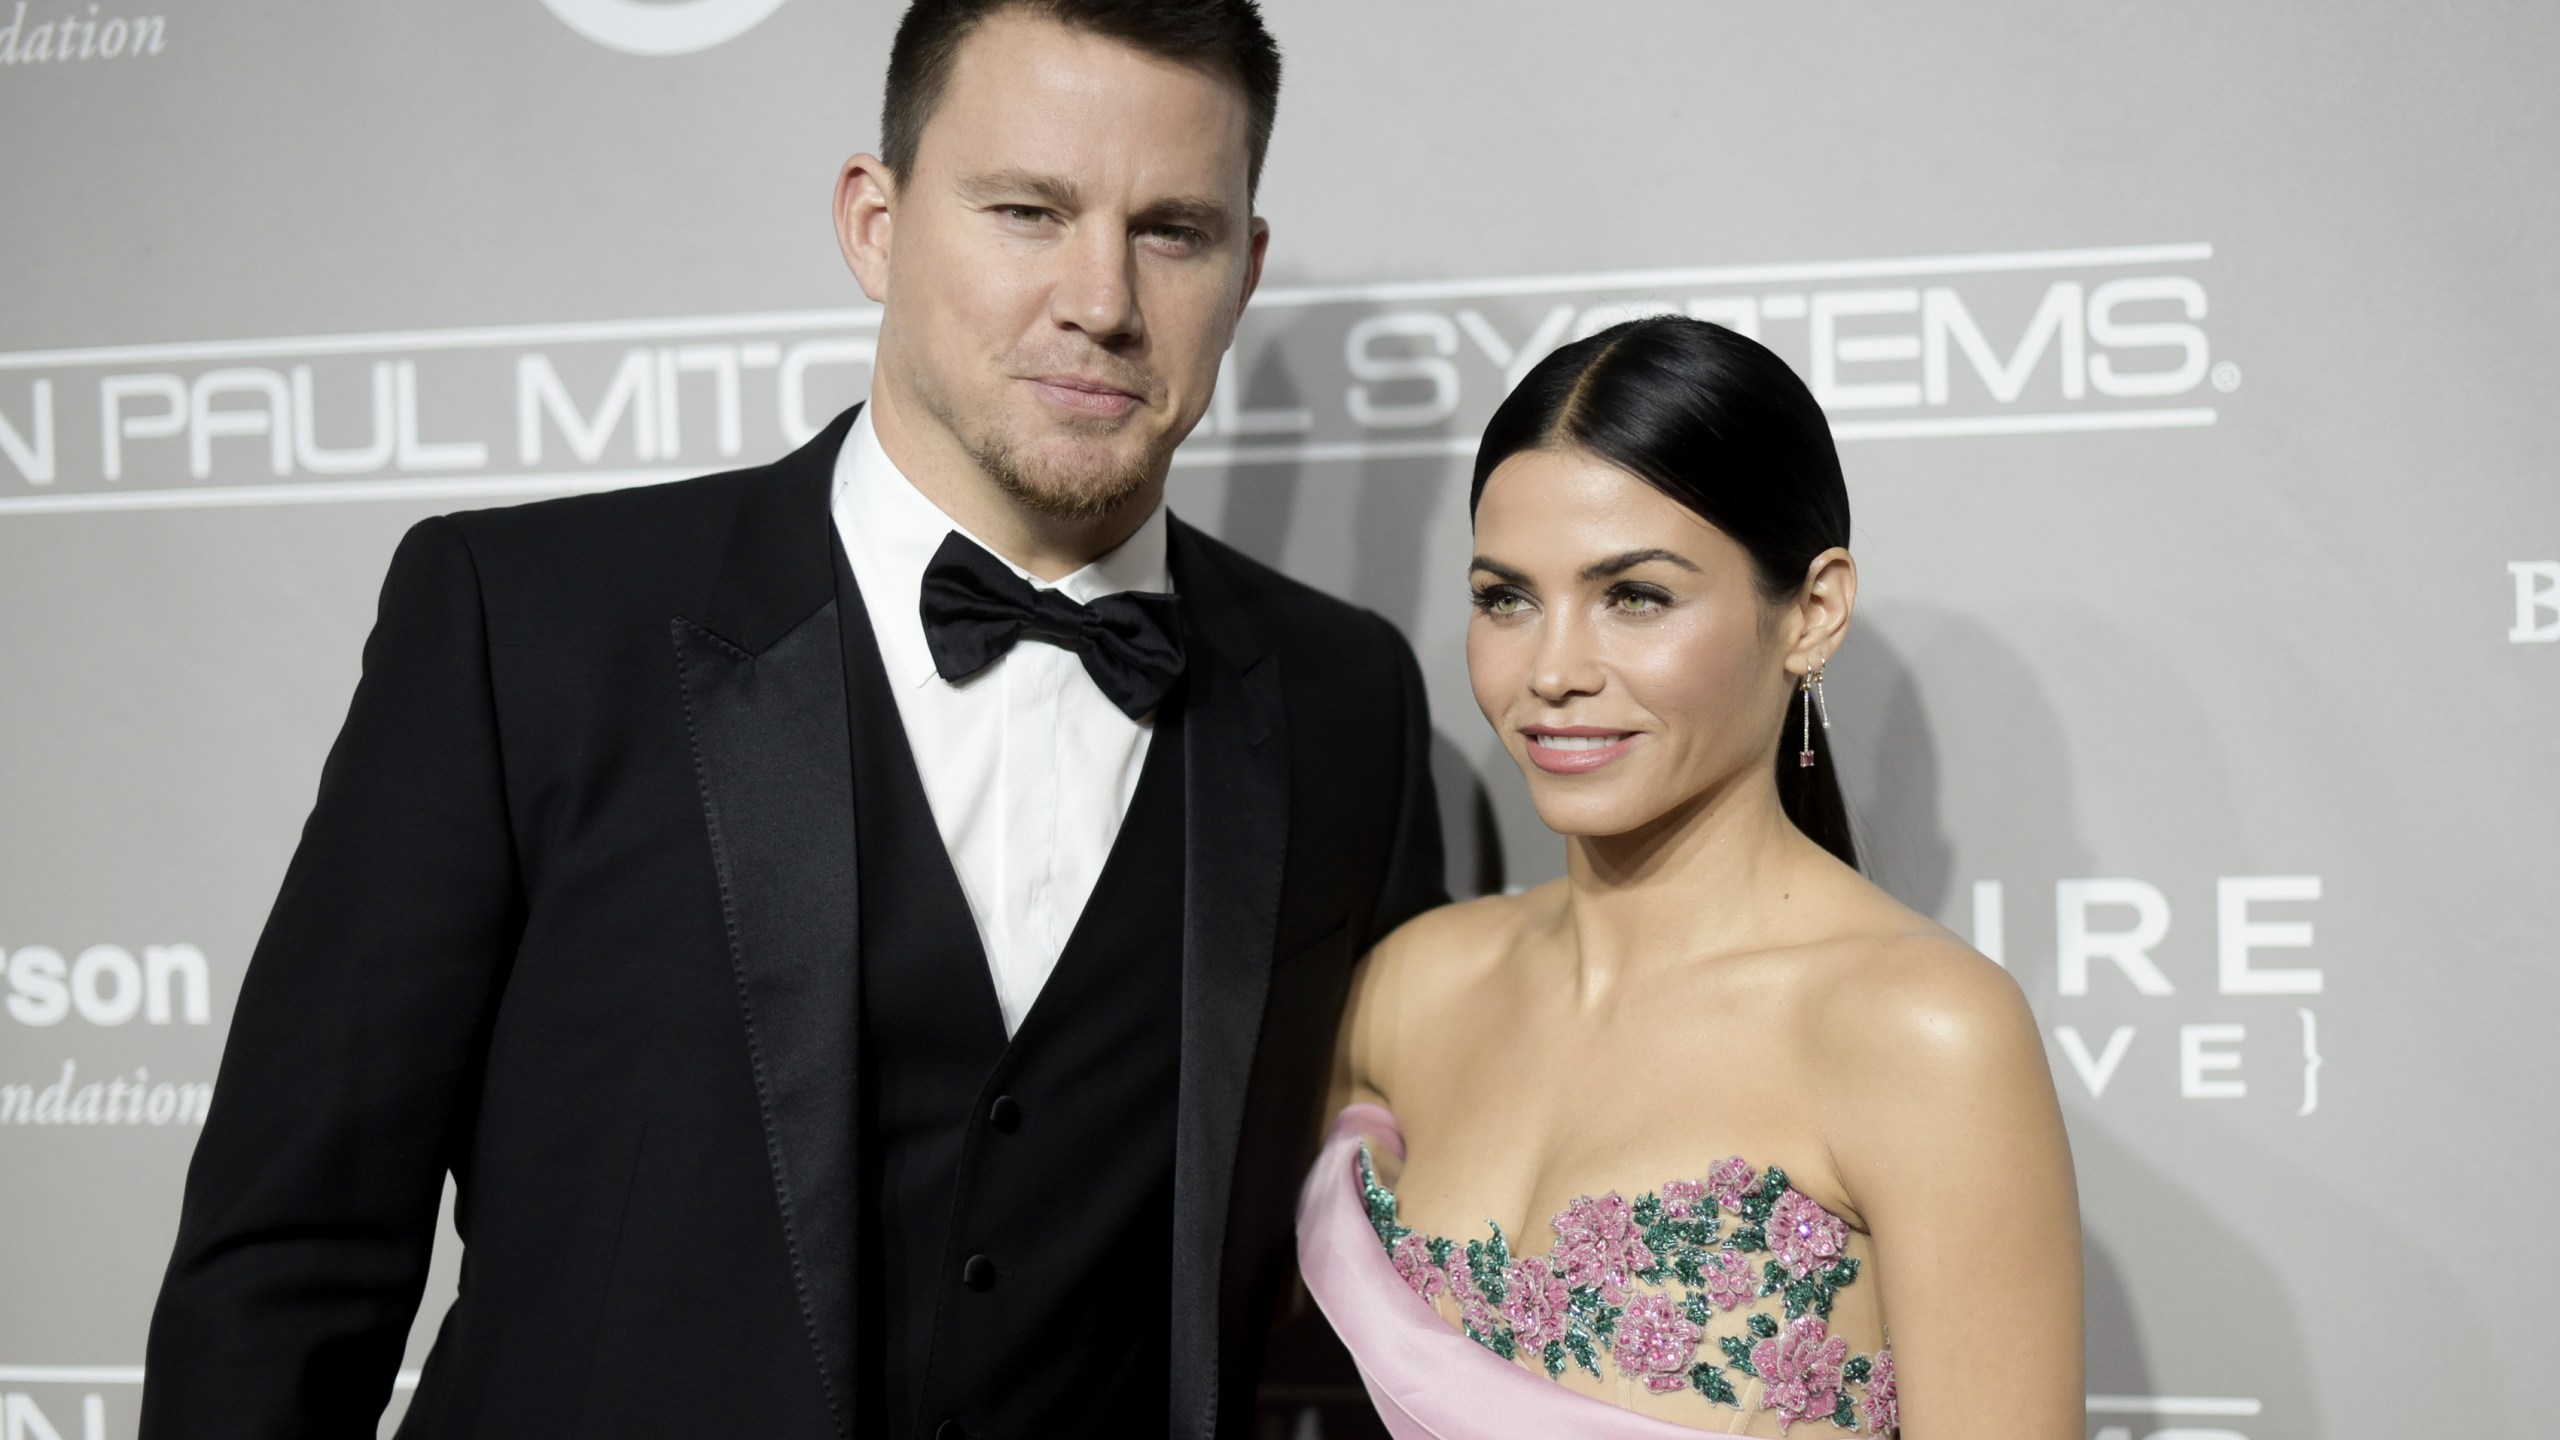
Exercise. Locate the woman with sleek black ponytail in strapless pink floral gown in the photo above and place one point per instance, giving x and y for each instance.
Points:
(1711, 1134)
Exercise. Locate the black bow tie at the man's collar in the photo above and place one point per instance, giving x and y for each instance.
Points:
(977, 609)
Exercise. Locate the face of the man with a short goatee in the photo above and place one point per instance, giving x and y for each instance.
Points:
(1066, 260)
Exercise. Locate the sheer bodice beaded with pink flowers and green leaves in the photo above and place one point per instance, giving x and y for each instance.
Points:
(1719, 1288)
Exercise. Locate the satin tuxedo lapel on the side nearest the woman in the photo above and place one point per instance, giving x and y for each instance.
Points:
(1235, 839)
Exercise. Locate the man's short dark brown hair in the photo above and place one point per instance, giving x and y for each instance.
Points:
(1225, 37)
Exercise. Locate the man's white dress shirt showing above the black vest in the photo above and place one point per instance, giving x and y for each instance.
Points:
(1028, 765)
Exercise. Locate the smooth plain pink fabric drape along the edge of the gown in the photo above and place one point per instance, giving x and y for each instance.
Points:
(1427, 1380)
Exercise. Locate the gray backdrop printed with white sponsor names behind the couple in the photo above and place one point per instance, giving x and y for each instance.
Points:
(2193, 368)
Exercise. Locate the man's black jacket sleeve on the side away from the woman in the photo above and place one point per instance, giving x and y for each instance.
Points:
(355, 1054)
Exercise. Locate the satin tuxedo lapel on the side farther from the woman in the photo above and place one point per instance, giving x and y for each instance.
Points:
(764, 691)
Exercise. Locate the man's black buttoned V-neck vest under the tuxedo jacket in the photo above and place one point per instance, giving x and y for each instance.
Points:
(1018, 1229)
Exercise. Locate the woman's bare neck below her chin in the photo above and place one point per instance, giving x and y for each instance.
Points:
(1696, 883)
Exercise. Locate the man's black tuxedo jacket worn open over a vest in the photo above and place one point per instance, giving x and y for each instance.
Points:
(575, 921)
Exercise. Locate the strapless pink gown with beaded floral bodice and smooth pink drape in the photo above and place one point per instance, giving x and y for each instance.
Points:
(1709, 1298)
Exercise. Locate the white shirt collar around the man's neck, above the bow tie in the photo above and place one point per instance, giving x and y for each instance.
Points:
(892, 532)
